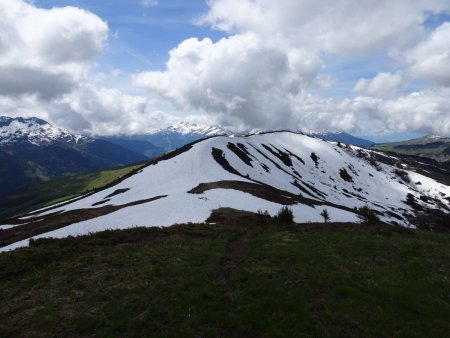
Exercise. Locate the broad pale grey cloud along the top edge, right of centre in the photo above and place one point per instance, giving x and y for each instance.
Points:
(344, 27)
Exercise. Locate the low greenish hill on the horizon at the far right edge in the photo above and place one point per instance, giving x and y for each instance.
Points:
(431, 146)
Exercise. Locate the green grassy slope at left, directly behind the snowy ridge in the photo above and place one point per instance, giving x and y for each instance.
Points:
(58, 190)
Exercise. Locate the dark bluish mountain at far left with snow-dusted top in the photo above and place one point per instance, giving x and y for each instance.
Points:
(33, 151)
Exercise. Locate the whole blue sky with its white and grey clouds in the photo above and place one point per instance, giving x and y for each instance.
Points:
(375, 68)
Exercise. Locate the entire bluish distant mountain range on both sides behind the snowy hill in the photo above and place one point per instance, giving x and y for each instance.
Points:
(32, 150)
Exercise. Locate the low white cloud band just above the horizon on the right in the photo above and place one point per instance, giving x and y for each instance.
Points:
(425, 111)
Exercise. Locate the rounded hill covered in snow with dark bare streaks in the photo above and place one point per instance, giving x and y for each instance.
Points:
(258, 172)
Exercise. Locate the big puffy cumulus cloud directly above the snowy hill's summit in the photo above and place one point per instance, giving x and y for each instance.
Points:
(240, 76)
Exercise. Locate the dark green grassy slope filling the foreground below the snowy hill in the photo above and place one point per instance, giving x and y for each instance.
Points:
(231, 280)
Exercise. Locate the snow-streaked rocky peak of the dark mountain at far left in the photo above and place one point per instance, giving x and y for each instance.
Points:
(35, 131)
